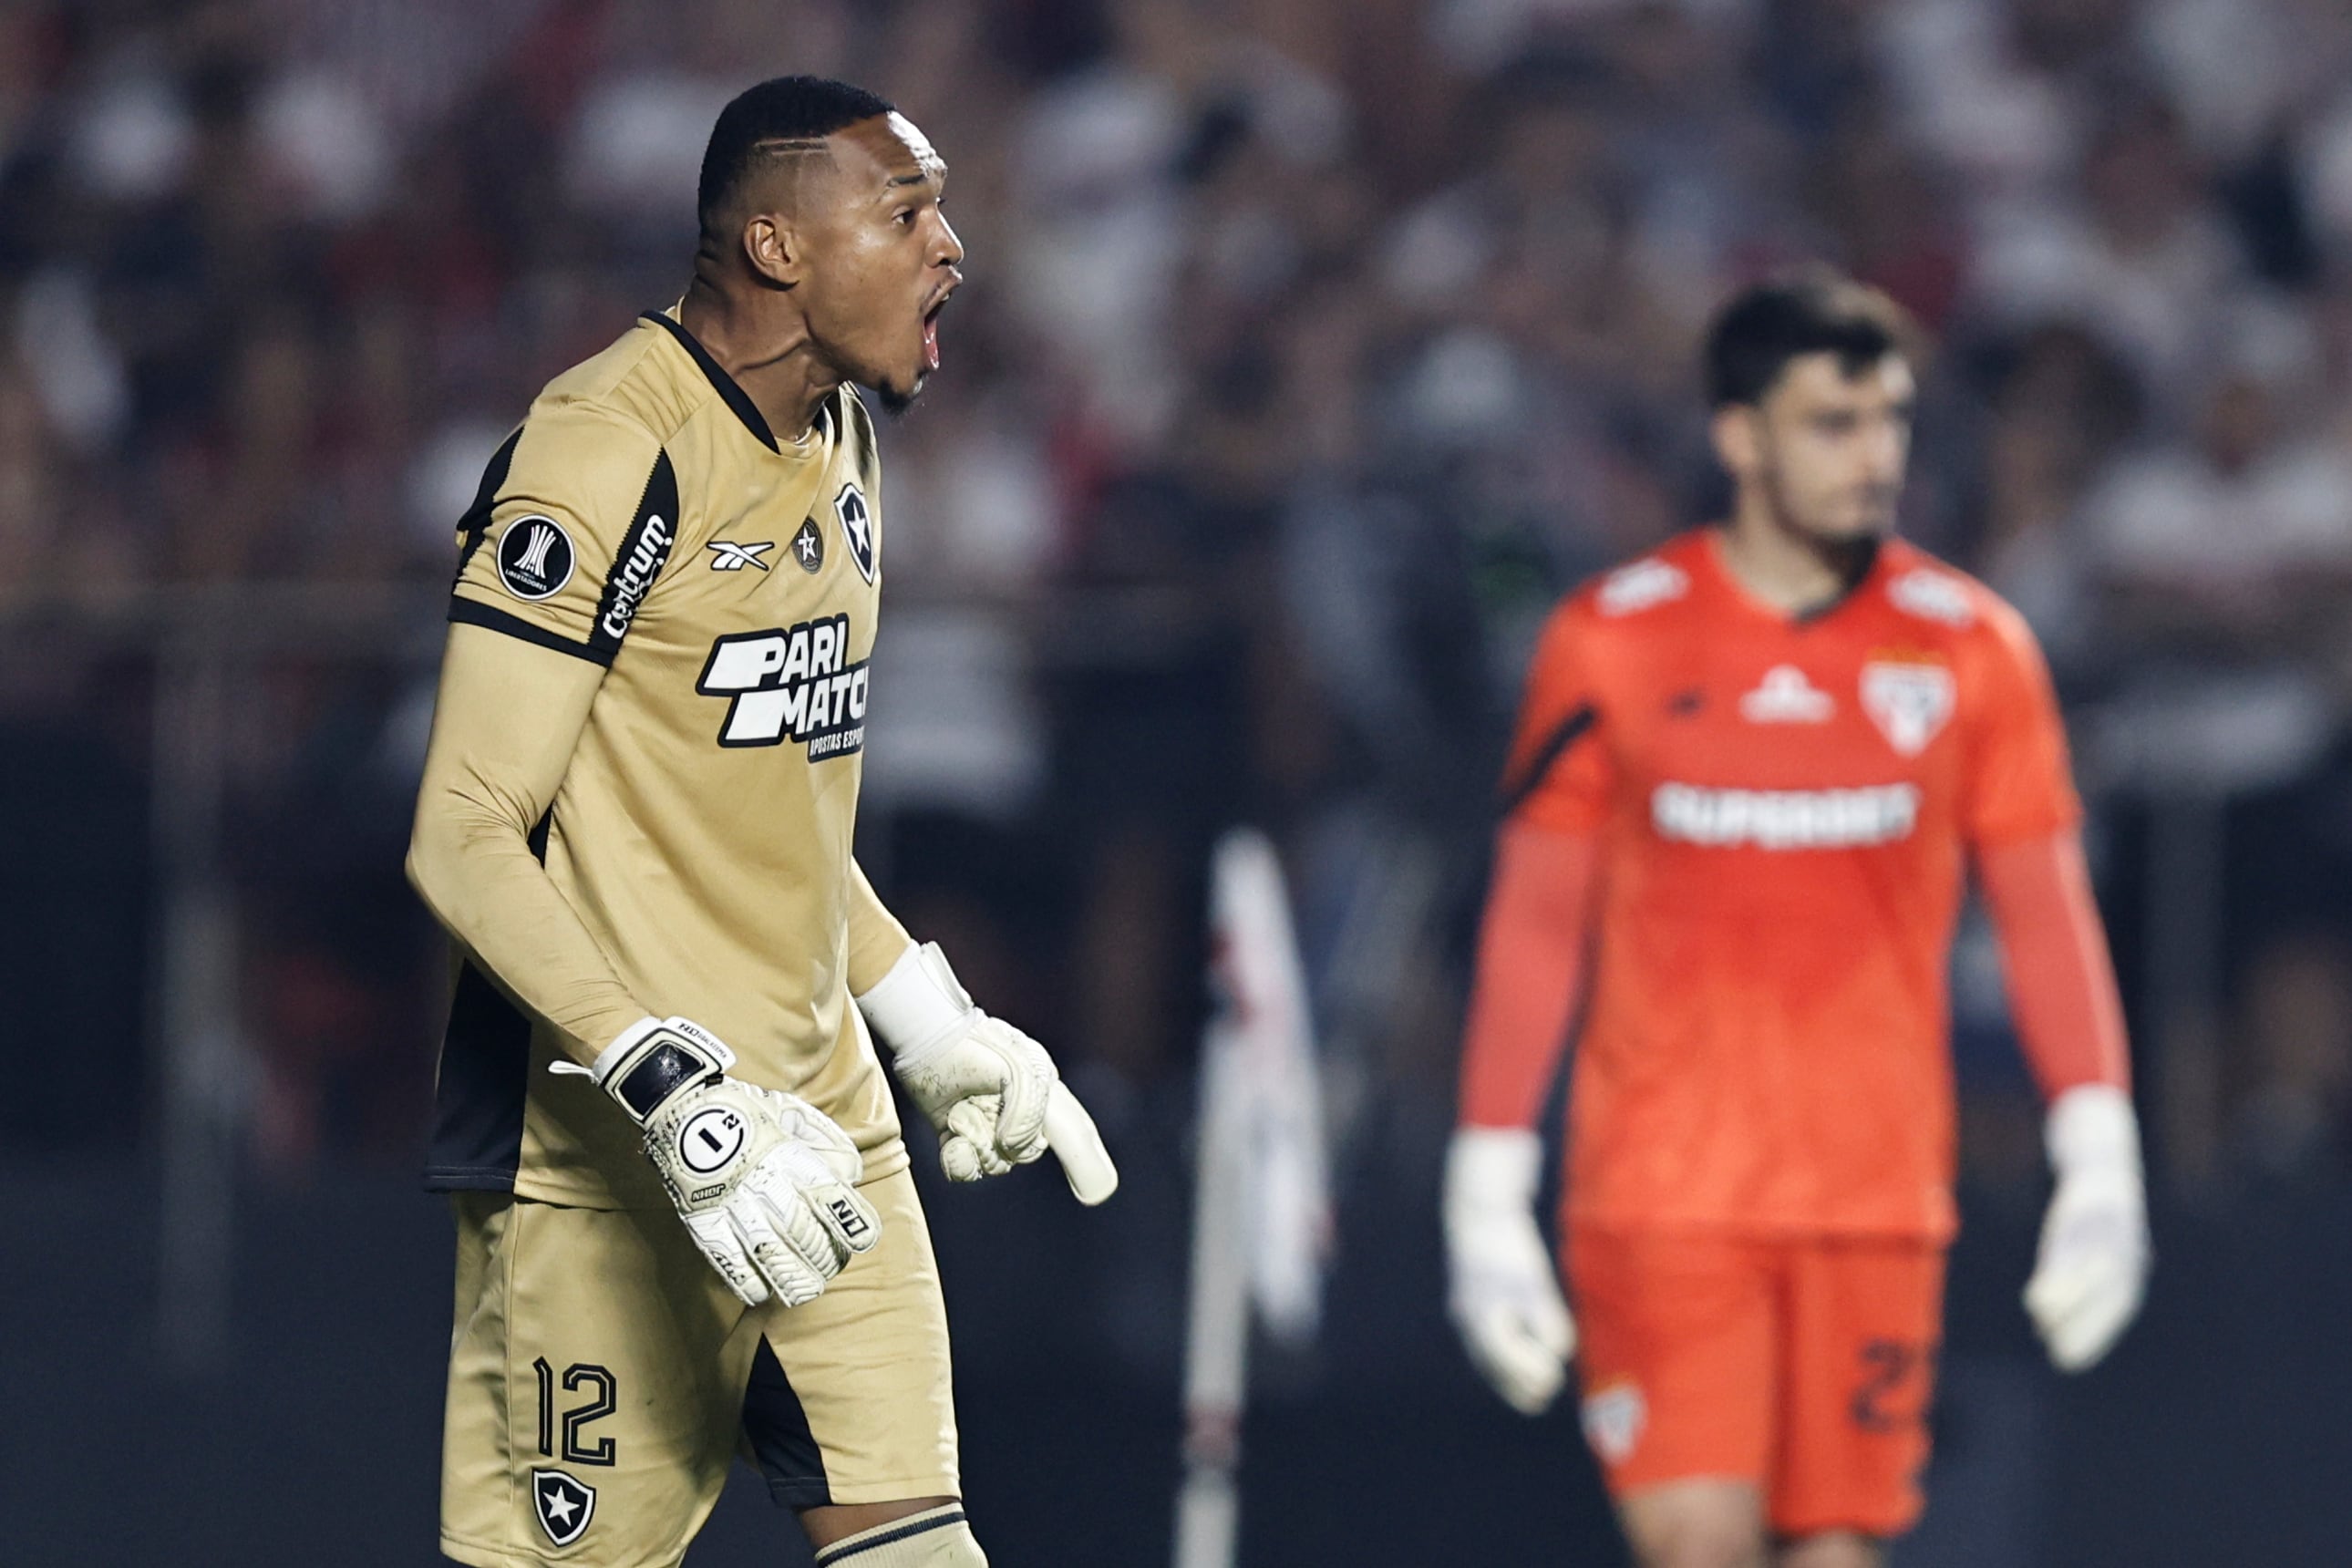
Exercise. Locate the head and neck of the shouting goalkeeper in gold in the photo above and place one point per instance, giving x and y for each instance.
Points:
(824, 250)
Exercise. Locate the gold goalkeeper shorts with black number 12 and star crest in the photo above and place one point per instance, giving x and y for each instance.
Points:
(603, 1379)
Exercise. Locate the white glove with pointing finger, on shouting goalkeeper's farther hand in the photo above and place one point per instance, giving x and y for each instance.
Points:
(989, 1090)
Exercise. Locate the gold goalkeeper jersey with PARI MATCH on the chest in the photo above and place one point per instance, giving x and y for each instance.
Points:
(650, 523)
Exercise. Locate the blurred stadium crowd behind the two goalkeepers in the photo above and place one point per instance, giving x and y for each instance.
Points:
(1311, 351)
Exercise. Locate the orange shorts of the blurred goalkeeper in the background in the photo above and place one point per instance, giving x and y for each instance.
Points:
(1798, 1365)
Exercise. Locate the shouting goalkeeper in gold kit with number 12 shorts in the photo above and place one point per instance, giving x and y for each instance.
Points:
(686, 1217)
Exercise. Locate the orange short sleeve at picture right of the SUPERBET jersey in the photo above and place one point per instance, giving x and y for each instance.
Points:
(2022, 784)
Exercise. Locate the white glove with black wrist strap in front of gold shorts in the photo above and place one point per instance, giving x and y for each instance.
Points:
(763, 1179)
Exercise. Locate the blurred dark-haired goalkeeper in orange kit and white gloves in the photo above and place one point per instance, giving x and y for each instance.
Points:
(1751, 777)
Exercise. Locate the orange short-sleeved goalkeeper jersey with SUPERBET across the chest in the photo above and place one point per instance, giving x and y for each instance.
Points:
(1784, 810)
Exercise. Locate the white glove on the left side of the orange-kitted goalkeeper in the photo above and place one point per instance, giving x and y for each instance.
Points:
(1502, 1287)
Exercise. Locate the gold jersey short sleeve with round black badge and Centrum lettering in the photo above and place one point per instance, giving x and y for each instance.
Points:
(570, 530)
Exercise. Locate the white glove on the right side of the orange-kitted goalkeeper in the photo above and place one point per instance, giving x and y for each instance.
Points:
(2092, 1268)
